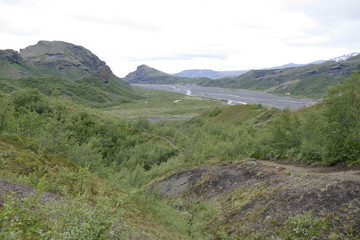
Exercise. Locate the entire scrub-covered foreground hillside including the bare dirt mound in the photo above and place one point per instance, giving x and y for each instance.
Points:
(70, 172)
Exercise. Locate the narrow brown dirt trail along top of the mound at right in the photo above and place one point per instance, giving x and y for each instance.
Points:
(332, 172)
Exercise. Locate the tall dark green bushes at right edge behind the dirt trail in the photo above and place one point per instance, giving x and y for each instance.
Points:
(342, 112)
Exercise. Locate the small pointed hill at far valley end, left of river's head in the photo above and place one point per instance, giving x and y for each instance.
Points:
(145, 74)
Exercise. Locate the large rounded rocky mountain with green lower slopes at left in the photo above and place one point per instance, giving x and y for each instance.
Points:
(65, 69)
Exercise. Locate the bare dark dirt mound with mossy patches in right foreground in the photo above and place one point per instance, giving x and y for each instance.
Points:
(258, 197)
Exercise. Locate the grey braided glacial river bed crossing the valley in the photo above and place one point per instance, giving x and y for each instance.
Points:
(233, 97)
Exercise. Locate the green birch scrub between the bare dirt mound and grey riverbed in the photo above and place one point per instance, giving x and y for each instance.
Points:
(327, 133)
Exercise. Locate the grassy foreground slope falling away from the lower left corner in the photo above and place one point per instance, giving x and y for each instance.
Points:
(51, 202)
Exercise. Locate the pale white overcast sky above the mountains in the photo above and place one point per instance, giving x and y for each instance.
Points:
(174, 35)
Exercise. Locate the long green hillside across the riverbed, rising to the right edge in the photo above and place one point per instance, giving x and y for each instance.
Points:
(310, 81)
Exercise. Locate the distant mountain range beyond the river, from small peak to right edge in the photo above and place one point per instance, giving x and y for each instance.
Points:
(310, 80)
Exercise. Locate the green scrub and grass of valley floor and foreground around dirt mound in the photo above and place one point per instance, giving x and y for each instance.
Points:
(95, 168)
